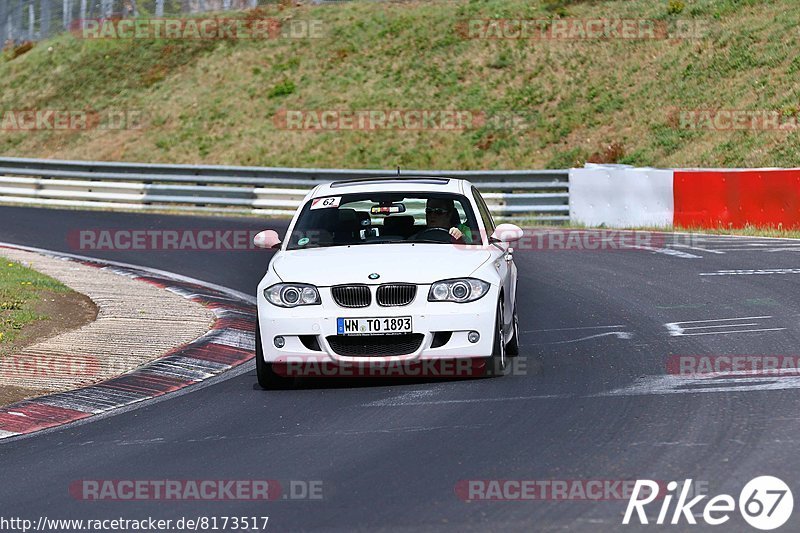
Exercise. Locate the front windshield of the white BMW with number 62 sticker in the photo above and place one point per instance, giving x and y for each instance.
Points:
(381, 218)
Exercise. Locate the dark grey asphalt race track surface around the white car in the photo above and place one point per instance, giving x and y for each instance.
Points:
(594, 400)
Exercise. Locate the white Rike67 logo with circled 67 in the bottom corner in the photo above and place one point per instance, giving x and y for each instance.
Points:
(765, 503)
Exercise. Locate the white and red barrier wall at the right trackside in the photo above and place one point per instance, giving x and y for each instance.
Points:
(624, 196)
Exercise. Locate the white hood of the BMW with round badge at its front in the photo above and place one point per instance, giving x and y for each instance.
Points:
(420, 263)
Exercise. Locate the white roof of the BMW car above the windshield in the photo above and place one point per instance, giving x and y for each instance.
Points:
(392, 184)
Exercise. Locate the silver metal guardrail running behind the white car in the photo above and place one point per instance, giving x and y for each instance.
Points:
(534, 194)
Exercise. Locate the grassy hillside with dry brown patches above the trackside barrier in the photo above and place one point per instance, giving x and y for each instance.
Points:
(214, 101)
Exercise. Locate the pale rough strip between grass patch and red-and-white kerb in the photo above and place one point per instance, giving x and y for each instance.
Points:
(136, 323)
